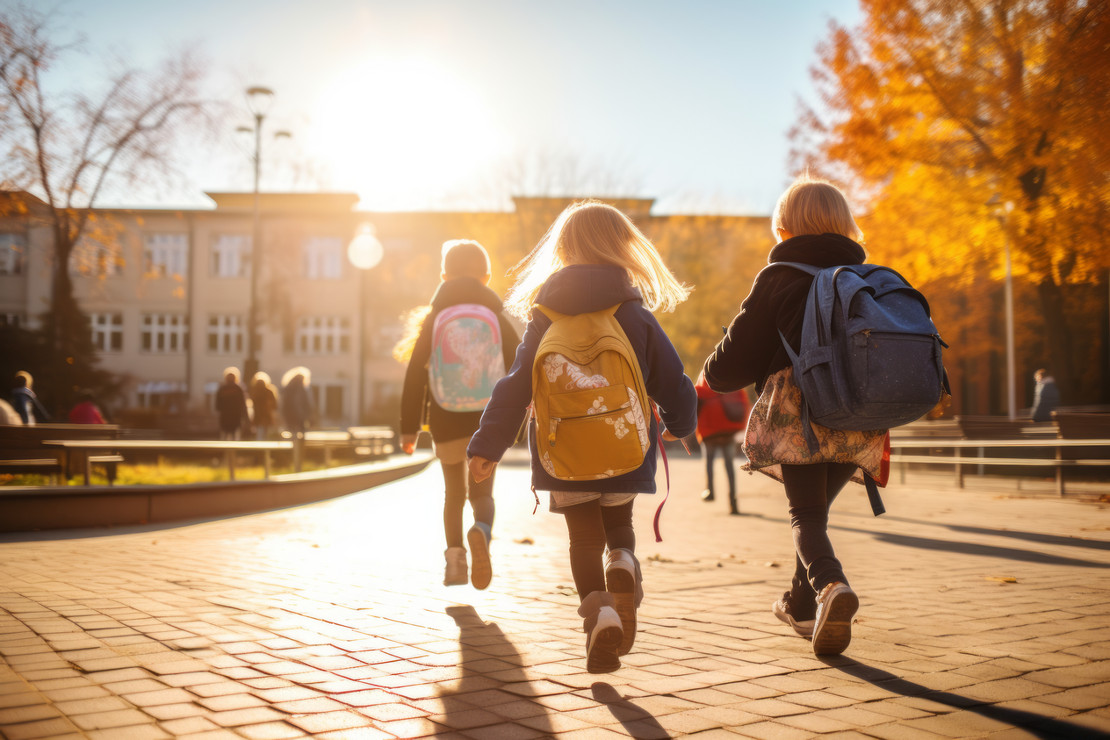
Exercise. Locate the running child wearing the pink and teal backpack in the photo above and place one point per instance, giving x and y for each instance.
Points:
(458, 348)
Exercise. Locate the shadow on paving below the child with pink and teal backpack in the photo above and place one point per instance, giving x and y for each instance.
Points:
(490, 661)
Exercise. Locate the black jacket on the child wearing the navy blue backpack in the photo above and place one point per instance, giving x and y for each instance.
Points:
(752, 350)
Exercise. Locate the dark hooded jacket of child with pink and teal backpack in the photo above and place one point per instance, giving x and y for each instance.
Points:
(445, 425)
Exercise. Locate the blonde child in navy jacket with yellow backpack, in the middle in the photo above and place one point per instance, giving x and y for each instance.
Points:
(592, 366)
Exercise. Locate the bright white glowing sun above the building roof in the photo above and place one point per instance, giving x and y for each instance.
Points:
(402, 133)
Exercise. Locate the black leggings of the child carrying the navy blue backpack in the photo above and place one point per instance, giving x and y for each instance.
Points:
(811, 491)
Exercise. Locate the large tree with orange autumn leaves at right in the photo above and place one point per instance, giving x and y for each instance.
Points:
(941, 114)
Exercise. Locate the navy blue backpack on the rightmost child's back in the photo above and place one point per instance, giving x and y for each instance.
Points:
(871, 356)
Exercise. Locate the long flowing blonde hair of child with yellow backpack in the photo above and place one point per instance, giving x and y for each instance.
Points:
(591, 232)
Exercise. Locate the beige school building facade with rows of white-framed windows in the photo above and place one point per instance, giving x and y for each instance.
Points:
(168, 292)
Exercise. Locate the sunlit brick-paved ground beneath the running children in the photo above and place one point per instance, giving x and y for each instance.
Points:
(983, 615)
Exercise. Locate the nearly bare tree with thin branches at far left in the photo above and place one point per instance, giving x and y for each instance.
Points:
(68, 146)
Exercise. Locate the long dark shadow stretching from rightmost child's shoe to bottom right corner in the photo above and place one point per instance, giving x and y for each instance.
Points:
(1037, 725)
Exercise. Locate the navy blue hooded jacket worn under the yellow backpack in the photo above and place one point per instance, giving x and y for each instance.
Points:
(578, 290)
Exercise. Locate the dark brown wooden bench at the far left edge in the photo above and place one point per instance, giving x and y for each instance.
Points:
(23, 450)
